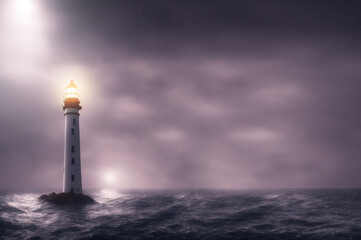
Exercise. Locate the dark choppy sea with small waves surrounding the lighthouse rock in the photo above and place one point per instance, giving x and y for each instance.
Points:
(186, 214)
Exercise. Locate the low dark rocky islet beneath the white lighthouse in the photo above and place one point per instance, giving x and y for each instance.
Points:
(66, 199)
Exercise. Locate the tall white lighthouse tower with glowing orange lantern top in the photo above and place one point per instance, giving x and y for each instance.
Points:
(72, 166)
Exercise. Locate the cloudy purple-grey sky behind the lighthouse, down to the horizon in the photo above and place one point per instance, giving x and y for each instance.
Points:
(183, 94)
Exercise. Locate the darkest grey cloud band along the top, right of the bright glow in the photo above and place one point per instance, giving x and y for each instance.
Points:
(170, 28)
